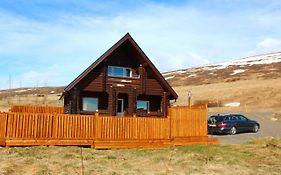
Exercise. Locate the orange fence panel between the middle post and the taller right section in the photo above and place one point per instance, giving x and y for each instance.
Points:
(135, 128)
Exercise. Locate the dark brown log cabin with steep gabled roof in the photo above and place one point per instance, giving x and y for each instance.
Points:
(122, 82)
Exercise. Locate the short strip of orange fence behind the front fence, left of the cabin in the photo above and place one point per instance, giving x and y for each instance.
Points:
(37, 109)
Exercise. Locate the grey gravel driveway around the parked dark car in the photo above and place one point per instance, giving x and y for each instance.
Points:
(268, 128)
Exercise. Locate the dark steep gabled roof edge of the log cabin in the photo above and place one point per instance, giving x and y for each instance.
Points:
(128, 37)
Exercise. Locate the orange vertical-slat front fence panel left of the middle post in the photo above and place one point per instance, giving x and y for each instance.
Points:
(49, 126)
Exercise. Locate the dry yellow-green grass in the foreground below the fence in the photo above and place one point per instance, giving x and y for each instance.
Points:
(262, 156)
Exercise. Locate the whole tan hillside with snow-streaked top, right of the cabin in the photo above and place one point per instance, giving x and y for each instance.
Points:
(254, 82)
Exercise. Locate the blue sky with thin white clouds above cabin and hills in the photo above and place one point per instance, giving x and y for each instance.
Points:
(50, 42)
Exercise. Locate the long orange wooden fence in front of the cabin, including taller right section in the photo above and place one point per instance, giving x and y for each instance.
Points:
(183, 126)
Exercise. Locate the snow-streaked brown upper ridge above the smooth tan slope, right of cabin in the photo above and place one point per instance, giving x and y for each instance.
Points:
(263, 66)
